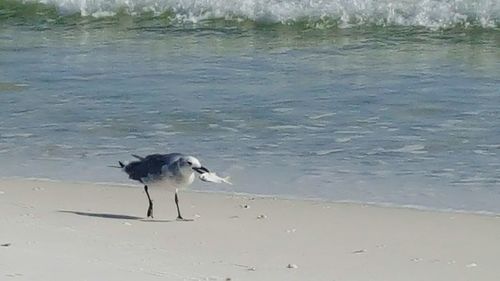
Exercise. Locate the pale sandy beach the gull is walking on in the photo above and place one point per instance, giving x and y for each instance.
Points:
(66, 231)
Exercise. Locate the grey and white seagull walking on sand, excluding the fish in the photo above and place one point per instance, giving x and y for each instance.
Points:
(173, 170)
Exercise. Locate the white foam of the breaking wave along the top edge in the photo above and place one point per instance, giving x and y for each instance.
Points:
(429, 13)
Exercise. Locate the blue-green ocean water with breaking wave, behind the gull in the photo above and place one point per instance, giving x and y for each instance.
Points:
(379, 101)
